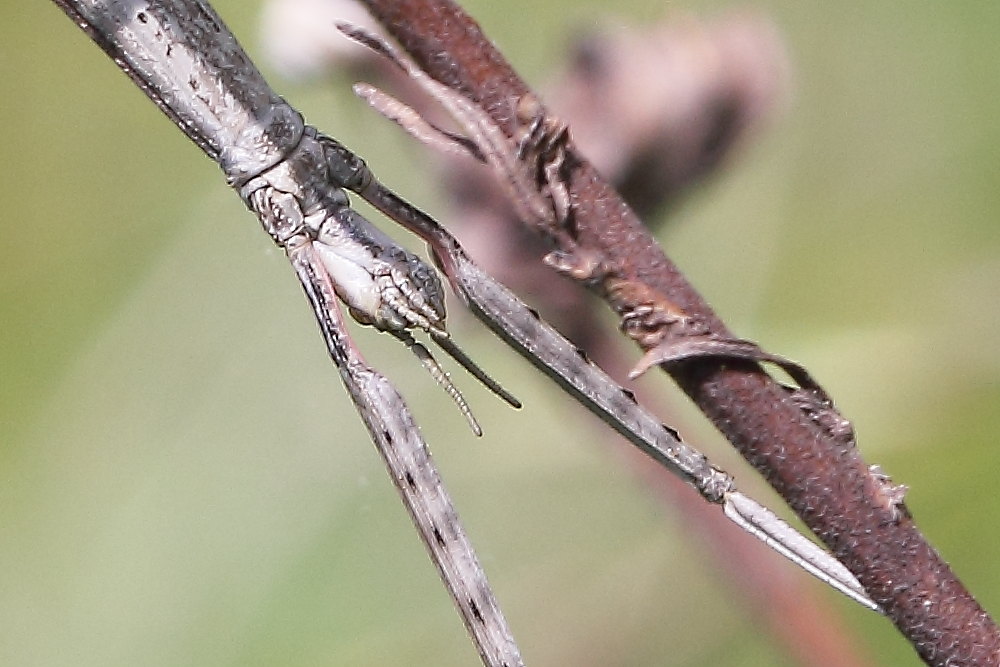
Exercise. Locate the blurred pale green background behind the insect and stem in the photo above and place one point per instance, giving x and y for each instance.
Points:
(184, 482)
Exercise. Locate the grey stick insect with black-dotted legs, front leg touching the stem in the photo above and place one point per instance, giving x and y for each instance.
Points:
(293, 178)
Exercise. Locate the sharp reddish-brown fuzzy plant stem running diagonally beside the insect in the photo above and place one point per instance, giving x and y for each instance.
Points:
(819, 473)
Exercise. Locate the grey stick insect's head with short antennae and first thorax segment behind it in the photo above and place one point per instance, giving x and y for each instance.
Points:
(383, 284)
